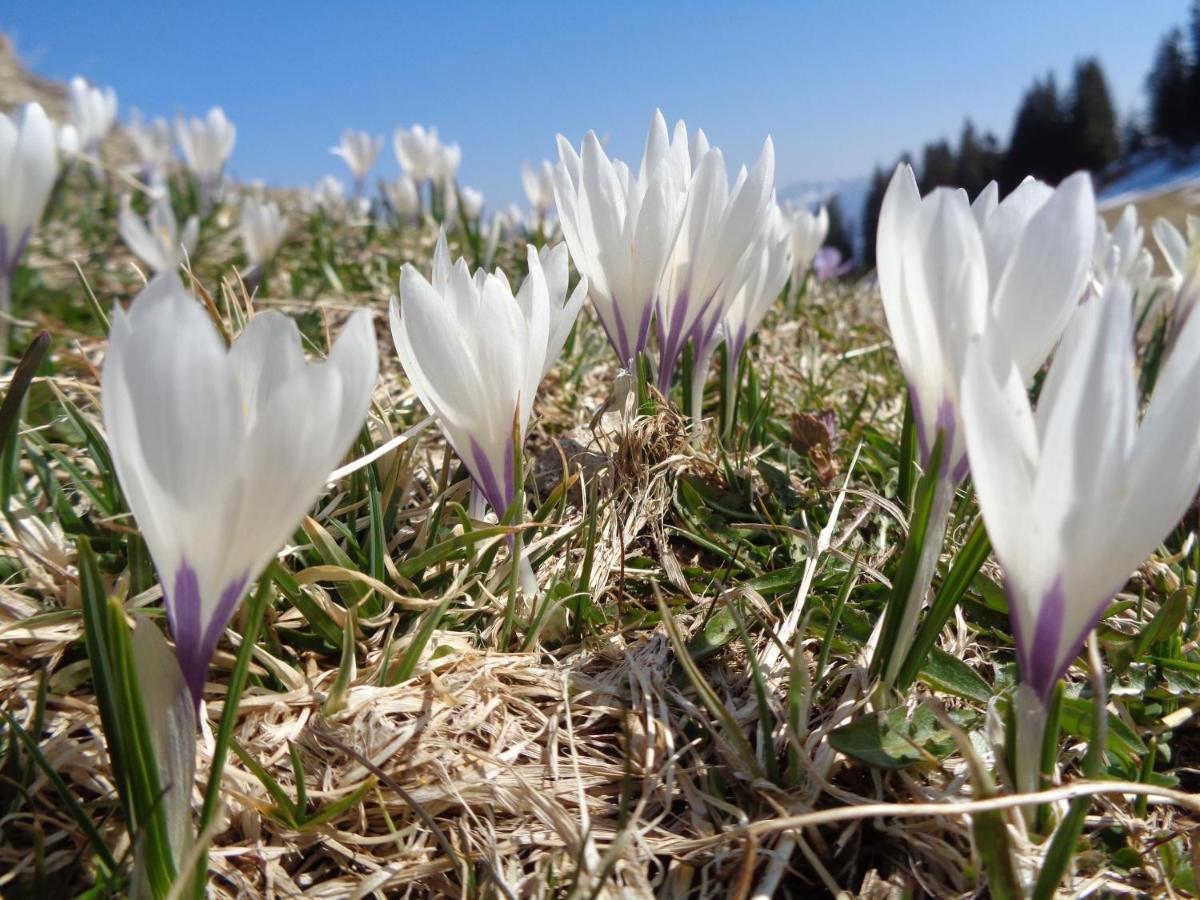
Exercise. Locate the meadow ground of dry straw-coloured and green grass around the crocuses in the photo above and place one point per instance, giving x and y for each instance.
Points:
(687, 709)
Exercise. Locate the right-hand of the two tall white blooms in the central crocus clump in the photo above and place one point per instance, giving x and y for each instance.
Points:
(719, 225)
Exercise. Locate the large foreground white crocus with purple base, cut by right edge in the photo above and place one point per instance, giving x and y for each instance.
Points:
(1078, 494)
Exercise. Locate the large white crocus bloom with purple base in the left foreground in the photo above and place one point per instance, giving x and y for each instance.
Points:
(221, 452)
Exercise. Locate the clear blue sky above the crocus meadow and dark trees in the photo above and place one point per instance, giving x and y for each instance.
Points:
(839, 86)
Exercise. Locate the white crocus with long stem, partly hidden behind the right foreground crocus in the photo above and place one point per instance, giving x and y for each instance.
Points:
(949, 273)
